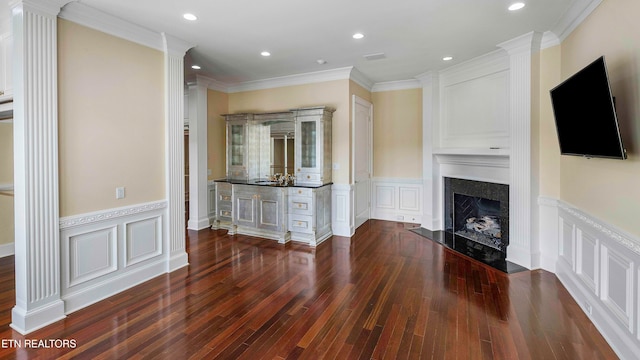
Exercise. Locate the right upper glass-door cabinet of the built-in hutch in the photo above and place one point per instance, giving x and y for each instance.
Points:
(313, 145)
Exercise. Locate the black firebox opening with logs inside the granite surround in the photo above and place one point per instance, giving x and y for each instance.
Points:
(478, 219)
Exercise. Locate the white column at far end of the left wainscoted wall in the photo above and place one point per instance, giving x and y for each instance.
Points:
(175, 240)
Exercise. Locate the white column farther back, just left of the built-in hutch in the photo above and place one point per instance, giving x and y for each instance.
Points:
(198, 189)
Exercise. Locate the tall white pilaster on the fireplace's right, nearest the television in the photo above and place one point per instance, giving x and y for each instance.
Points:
(523, 81)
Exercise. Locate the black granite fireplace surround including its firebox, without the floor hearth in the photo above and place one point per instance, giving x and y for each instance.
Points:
(477, 211)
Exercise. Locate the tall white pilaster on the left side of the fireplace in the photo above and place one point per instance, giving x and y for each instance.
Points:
(432, 217)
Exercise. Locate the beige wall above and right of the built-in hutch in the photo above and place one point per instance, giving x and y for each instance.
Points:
(334, 94)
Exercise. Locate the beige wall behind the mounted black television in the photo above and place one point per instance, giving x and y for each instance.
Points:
(608, 189)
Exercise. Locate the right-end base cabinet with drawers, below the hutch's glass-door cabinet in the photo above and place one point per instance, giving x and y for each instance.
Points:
(310, 214)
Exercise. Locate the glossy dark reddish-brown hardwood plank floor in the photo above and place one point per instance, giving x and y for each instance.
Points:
(385, 293)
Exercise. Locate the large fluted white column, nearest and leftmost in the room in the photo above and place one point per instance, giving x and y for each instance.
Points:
(35, 124)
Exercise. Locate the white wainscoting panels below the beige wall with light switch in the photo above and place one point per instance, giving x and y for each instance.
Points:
(106, 252)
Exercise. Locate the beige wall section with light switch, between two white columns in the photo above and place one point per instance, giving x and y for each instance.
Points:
(111, 120)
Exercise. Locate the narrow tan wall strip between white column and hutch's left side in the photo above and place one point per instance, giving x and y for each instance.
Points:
(217, 104)
